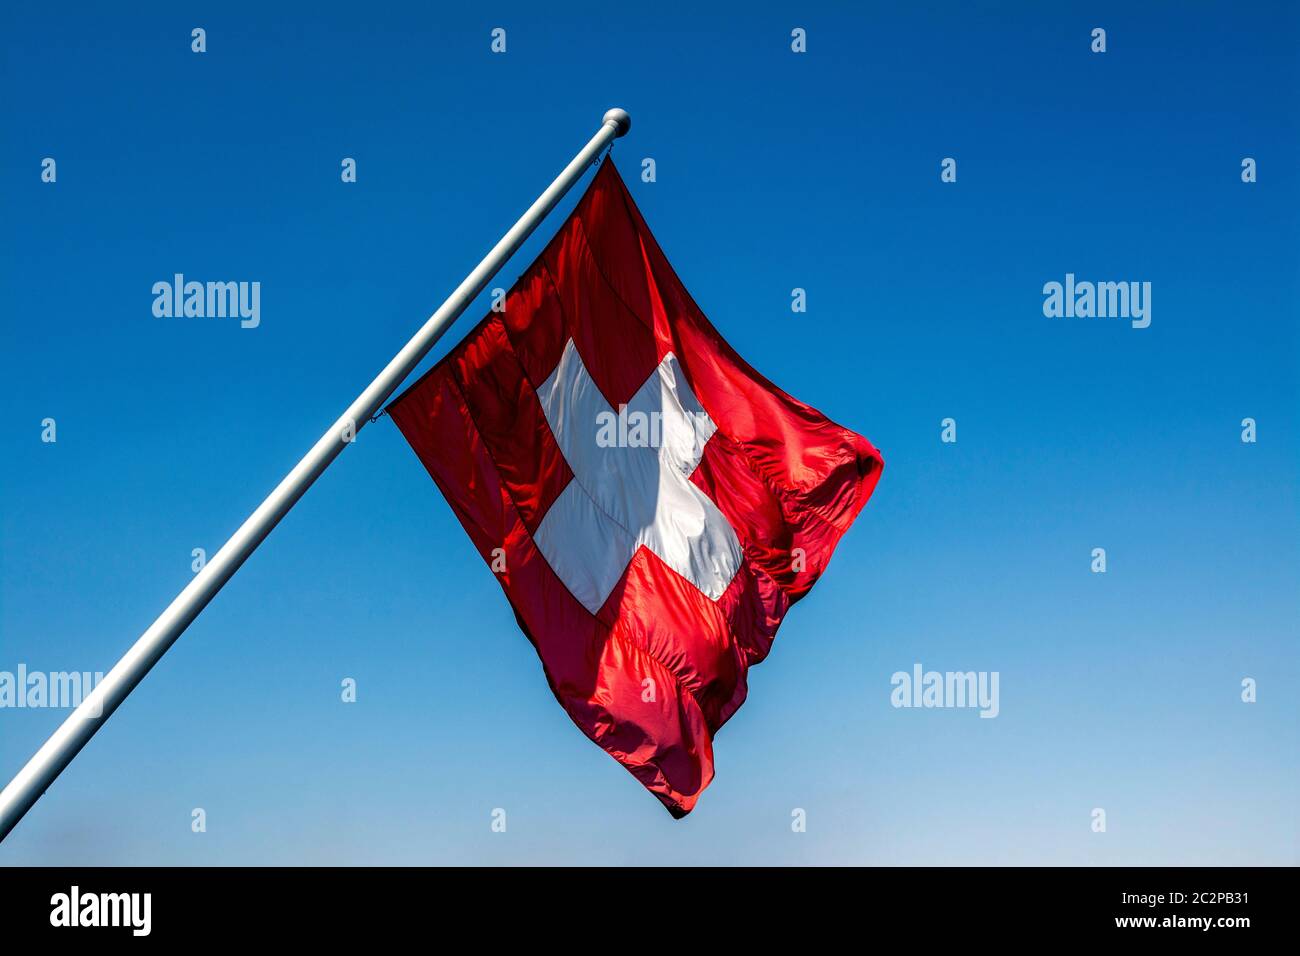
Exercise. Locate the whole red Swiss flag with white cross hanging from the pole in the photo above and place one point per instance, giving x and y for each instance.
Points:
(651, 505)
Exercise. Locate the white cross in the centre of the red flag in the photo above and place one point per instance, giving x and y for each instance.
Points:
(626, 498)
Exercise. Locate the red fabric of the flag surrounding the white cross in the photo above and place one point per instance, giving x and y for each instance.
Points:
(783, 475)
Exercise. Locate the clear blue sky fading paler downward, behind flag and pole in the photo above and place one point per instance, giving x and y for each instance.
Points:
(775, 171)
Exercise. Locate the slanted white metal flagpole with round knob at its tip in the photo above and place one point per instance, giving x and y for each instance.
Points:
(45, 767)
